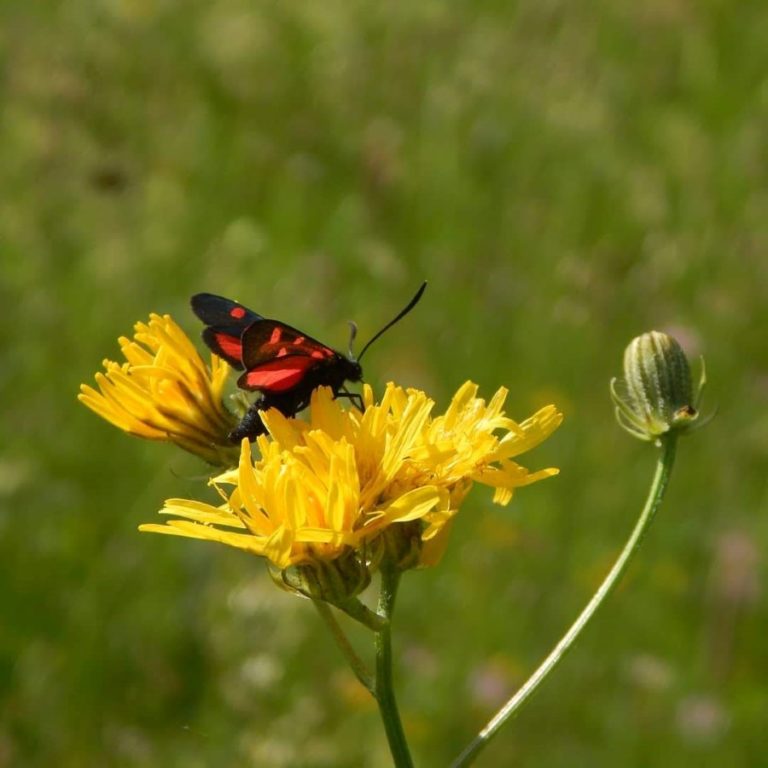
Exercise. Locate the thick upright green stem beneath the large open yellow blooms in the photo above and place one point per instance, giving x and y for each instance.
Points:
(385, 695)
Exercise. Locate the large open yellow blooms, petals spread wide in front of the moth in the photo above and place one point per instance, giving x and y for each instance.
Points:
(382, 482)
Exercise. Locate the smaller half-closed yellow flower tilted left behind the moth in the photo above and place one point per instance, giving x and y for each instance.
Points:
(164, 391)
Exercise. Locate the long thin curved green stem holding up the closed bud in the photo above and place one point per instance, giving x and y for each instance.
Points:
(655, 495)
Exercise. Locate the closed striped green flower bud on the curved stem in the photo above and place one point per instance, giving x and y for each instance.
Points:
(656, 395)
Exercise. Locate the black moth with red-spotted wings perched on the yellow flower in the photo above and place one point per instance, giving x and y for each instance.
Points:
(284, 365)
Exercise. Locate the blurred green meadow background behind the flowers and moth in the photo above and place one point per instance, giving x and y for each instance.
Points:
(565, 176)
